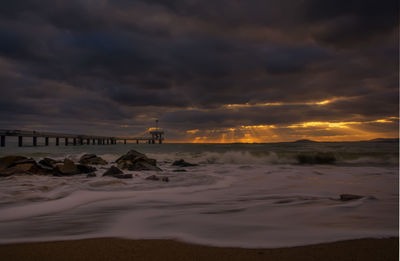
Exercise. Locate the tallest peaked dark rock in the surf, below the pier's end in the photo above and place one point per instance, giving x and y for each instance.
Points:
(136, 161)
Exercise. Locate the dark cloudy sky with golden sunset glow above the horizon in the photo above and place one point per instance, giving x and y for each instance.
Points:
(209, 71)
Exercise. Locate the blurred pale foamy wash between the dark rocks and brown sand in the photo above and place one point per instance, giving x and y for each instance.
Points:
(247, 205)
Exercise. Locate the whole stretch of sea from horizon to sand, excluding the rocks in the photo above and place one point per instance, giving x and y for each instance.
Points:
(239, 195)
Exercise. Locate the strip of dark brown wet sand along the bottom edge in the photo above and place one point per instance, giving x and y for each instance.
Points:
(164, 250)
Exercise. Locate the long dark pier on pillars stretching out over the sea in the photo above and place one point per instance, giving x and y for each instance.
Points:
(156, 136)
